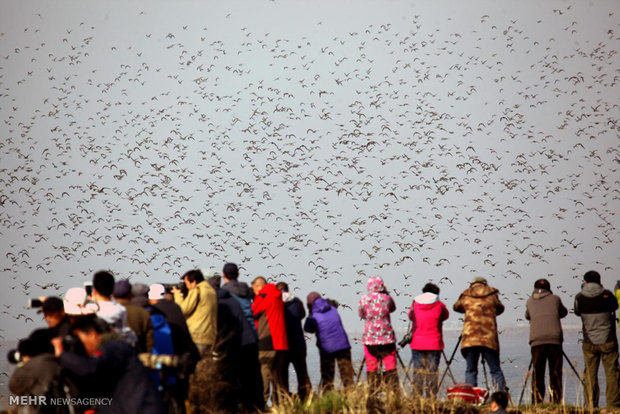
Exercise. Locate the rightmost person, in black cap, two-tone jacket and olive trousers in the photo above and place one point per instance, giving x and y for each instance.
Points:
(597, 308)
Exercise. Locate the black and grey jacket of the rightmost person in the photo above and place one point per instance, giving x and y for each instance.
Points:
(597, 307)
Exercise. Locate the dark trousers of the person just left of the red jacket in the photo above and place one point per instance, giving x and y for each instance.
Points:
(250, 379)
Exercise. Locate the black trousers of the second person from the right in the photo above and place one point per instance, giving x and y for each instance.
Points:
(542, 355)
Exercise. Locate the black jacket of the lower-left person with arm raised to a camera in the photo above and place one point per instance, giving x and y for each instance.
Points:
(120, 375)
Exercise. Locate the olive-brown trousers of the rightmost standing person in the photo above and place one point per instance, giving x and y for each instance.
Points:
(592, 356)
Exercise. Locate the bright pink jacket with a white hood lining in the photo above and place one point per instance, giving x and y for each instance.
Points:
(427, 314)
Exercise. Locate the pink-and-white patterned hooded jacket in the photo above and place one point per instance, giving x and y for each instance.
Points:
(375, 309)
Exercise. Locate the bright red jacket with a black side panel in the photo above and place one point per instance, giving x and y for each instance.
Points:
(268, 310)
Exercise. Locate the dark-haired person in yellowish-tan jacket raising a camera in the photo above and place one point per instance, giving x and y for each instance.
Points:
(199, 308)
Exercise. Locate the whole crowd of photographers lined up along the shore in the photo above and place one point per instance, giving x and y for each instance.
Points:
(213, 343)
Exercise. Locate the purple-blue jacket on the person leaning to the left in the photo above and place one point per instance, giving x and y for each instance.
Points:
(325, 322)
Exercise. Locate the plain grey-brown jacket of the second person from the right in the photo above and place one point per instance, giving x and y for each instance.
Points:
(544, 311)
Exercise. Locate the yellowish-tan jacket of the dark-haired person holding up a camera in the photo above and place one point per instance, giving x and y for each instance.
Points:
(200, 310)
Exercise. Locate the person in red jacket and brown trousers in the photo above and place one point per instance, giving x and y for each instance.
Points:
(268, 310)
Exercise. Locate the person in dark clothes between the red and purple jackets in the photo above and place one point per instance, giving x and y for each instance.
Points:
(294, 313)
